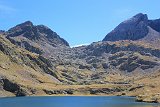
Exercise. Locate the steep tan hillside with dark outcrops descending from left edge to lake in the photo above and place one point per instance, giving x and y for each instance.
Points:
(23, 72)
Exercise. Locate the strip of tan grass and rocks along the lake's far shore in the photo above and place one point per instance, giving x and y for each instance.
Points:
(128, 90)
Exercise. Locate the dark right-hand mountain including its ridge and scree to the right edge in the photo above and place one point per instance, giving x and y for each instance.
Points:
(136, 28)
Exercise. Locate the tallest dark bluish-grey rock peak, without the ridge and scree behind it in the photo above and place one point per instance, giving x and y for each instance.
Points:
(132, 29)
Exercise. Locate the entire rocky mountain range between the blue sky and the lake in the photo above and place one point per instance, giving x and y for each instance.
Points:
(34, 60)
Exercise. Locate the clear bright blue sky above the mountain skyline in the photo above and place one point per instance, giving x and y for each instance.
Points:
(77, 21)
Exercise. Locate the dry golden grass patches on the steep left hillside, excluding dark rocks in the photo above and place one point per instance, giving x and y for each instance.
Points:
(23, 75)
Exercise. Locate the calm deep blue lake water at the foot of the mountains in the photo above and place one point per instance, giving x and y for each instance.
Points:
(73, 101)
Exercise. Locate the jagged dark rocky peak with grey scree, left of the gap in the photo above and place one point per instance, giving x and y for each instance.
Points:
(35, 38)
